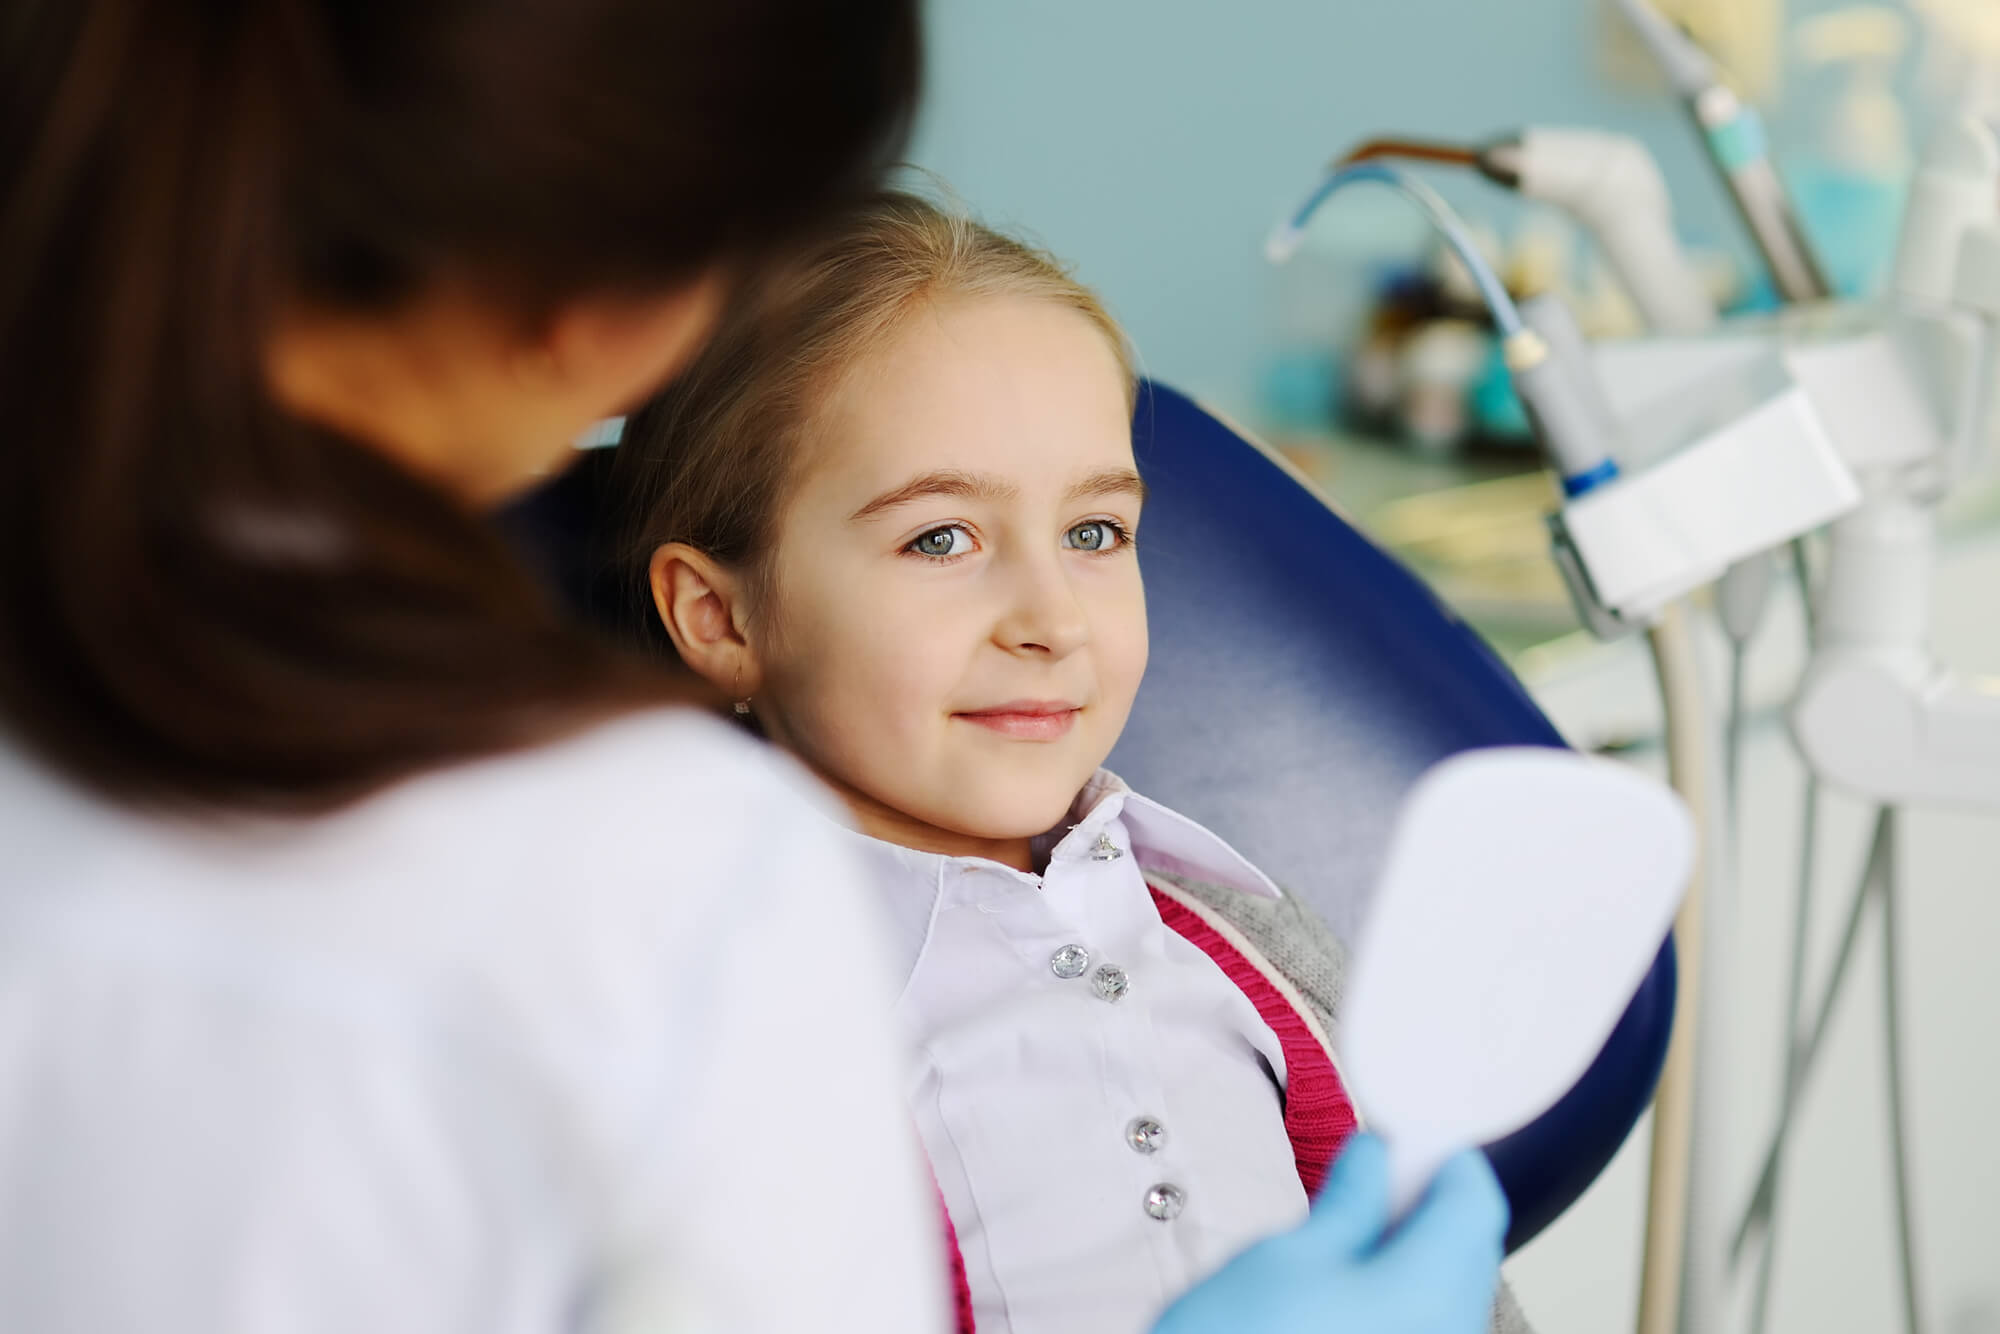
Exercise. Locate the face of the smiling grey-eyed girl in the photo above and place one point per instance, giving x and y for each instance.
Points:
(955, 627)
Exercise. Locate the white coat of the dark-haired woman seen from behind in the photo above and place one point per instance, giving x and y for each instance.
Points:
(581, 1039)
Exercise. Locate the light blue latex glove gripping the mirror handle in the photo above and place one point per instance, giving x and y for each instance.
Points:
(1339, 1273)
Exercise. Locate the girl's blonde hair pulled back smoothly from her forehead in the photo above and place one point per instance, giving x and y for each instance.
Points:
(709, 461)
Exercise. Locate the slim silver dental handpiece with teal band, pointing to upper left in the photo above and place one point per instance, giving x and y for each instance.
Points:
(1735, 139)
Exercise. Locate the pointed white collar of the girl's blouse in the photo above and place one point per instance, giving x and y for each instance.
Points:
(911, 883)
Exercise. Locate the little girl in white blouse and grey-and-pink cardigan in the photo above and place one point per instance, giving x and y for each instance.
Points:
(895, 515)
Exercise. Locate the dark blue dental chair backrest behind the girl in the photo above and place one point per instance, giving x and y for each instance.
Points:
(1301, 681)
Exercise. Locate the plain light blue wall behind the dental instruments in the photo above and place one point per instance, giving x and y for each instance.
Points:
(1153, 143)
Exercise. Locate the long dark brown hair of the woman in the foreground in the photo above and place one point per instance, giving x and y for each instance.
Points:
(207, 603)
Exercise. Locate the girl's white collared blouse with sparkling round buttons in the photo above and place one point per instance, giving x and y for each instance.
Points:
(1101, 1105)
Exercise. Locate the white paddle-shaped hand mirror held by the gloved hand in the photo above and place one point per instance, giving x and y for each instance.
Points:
(1525, 895)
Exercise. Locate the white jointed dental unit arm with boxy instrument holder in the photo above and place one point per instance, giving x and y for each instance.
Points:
(1905, 399)
